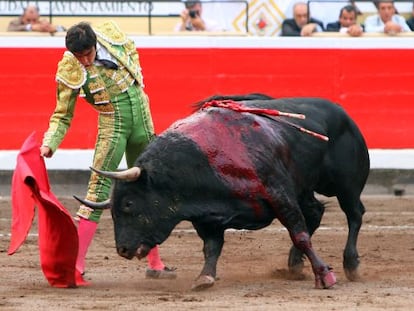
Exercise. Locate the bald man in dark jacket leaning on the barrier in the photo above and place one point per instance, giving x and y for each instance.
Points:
(301, 24)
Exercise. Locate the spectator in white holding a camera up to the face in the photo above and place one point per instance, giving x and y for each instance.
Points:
(192, 19)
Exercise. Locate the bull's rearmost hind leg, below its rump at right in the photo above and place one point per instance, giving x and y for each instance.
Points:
(354, 210)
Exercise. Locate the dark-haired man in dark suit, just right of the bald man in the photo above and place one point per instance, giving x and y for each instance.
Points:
(347, 22)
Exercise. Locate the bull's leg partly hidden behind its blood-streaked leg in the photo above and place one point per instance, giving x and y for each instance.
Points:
(313, 211)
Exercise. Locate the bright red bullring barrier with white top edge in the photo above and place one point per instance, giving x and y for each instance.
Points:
(373, 80)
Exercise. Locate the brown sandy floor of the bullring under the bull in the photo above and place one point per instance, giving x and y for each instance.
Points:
(252, 268)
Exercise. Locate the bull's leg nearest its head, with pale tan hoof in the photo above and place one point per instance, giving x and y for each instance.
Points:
(213, 244)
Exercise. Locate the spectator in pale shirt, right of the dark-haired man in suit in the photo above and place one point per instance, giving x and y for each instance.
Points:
(386, 21)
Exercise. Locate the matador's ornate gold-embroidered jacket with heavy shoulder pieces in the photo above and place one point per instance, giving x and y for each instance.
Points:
(74, 80)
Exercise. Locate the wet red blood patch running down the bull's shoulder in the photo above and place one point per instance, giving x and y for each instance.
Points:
(225, 137)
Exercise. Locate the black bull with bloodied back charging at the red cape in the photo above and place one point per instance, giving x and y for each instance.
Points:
(221, 169)
